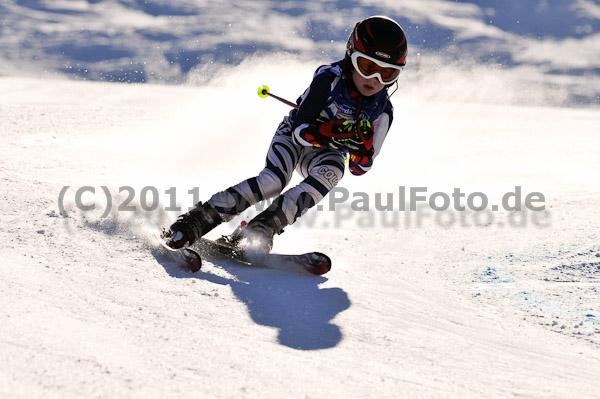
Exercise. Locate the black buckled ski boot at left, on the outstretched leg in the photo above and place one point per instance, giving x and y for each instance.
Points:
(193, 225)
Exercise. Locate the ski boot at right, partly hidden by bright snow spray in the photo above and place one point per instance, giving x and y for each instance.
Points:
(257, 235)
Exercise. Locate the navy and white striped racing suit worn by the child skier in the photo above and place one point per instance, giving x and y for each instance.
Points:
(331, 95)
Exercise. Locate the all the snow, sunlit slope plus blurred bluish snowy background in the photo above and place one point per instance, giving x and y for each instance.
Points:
(497, 98)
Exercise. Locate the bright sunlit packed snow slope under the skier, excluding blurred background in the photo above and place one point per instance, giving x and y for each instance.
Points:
(418, 304)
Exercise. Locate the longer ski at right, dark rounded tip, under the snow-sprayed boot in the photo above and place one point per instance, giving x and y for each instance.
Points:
(312, 262)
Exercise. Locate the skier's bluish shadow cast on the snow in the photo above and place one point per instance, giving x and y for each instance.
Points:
(293, 303)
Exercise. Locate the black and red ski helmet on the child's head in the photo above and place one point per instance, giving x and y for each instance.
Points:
(381, 38)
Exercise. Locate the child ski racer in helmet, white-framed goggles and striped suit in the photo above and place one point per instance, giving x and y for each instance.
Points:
(346, 111)
